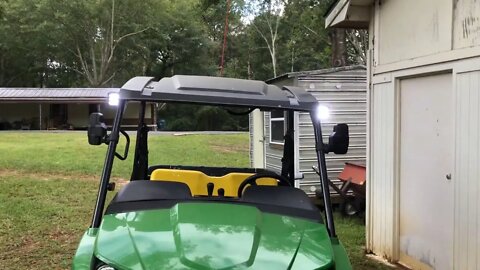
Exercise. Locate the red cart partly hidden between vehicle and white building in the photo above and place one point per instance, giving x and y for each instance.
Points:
(352, 191)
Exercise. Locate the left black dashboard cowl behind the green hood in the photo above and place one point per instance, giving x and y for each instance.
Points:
(145, 190)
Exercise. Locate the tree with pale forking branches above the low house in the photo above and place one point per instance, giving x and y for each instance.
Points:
(91, 33)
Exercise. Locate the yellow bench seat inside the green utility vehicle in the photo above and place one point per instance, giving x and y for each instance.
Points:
(197, 181)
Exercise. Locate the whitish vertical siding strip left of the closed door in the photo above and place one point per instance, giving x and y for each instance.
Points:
(381, 178)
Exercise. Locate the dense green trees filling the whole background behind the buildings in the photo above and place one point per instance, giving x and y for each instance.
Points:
(96, 43)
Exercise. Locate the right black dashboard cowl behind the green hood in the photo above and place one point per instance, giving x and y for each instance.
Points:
(278, 196)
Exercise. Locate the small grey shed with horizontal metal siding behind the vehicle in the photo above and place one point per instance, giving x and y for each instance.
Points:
(343, 91)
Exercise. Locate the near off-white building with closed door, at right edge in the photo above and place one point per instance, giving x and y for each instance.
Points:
(424, 128)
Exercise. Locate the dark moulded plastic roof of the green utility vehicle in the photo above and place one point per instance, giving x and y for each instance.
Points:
(218, 91)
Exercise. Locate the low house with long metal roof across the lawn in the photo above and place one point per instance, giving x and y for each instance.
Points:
(60, 108)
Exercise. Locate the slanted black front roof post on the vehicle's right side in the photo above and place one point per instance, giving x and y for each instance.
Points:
(322, 168)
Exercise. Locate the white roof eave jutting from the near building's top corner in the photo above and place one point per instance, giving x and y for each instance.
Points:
(349, 14)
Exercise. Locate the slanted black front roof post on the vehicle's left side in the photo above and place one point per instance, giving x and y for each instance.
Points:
(107, 167)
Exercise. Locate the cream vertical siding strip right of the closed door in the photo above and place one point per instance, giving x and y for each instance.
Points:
(467, 171)
